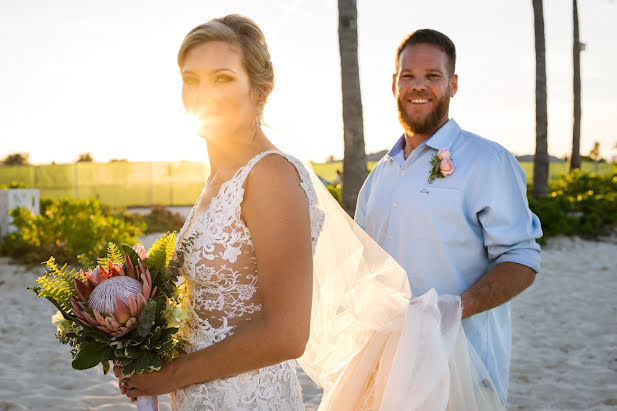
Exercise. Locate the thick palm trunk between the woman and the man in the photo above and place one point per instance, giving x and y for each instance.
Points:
(354, 161)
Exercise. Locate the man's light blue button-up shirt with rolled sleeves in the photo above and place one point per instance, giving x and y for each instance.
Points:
(448, 234)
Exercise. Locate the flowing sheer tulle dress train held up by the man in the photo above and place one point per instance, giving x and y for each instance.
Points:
(374, 347)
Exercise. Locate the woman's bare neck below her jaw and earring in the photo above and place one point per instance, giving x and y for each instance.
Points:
(225, 155)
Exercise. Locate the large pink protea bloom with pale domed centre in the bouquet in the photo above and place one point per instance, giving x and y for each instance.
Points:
(111, 300)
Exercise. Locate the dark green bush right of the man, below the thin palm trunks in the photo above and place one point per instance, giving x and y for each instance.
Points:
(581, 203)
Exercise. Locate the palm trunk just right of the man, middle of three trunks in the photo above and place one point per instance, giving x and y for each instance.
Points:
(540, 159)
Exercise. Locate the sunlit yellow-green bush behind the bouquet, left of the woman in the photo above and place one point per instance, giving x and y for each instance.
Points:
(66, 228)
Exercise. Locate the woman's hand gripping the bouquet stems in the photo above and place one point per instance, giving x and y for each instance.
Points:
(148, 383)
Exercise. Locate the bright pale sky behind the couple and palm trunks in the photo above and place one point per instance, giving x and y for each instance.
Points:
(82, 76)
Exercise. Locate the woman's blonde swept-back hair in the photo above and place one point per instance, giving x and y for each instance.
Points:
(243, 32)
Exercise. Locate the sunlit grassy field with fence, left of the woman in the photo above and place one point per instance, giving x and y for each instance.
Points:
(120, 183)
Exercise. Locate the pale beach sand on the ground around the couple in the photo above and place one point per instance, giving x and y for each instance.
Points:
(564, 354)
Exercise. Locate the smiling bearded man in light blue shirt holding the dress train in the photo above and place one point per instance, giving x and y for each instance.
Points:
(450, 206)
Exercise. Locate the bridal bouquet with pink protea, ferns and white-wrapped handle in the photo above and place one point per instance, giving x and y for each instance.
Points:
(125, 308)
